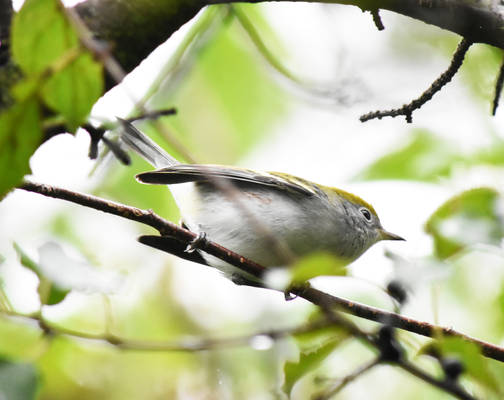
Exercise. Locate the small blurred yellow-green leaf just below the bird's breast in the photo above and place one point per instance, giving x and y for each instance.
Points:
(317, 264)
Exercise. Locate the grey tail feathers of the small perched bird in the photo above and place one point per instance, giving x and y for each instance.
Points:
(145, 147)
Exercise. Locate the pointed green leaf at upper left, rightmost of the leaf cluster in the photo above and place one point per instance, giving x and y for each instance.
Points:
(75, 89)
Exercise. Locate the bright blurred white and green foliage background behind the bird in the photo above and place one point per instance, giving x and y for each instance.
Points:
(234, 108)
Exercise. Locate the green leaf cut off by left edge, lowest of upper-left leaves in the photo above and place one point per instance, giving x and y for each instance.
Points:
(20, 135)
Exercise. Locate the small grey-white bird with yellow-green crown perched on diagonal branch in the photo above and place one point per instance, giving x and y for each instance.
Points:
(245, 210)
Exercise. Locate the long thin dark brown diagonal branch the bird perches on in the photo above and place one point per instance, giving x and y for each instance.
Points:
(313, 295)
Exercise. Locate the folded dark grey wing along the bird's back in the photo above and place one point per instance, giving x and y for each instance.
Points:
(205, 173)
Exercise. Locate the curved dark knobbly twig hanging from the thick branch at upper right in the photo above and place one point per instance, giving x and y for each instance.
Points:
(437, 85)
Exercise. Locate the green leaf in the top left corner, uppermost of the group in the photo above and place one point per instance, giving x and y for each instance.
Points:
(41, 34)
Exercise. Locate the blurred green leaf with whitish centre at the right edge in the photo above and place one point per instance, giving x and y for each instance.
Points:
(474, 216)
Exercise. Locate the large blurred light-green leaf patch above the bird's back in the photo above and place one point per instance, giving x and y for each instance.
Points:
(228, 100)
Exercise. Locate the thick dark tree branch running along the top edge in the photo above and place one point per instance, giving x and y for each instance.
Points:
(113, 21)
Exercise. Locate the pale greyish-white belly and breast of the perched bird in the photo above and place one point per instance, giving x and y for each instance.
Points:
(302, 222)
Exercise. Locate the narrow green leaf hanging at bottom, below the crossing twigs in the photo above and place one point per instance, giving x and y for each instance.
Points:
(308, 361)
